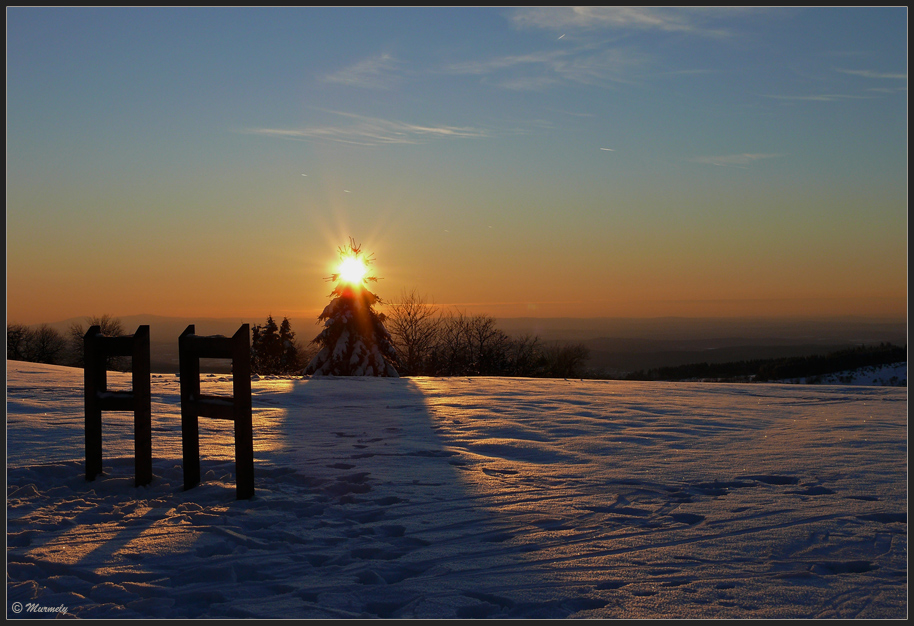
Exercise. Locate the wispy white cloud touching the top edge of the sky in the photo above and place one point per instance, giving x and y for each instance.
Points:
(665, 19)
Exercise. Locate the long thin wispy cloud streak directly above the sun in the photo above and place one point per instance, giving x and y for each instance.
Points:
(371, 131)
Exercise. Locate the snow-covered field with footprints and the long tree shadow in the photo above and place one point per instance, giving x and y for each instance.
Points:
(463, 498)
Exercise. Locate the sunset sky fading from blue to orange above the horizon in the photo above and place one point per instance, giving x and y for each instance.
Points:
(541, 162)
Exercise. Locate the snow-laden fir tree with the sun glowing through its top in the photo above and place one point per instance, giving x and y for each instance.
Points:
(354, 341)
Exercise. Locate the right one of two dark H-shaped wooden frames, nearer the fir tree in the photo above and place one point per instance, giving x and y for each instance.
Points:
(192, 348)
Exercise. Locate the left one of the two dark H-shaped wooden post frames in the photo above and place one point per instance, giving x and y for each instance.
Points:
(97, 349)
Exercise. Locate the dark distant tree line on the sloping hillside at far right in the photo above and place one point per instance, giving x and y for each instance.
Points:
(762, 370)
